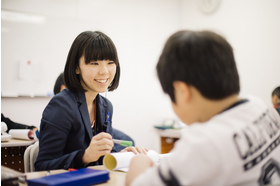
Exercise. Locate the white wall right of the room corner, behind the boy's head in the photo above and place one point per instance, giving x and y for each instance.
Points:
(252, 27)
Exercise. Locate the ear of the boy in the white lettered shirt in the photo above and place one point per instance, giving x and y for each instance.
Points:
(182, 91)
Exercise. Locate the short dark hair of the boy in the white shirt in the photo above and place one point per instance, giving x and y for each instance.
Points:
(202, 59)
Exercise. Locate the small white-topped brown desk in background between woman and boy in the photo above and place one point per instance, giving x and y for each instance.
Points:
(168, 138)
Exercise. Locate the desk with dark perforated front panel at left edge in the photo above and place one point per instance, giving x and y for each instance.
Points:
(12, 153)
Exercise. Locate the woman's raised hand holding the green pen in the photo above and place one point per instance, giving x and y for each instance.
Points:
(100, 145)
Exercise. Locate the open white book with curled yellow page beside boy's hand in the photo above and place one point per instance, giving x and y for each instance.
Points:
(120, 161)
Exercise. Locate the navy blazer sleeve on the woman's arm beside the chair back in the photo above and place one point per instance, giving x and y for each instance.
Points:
(56, 124)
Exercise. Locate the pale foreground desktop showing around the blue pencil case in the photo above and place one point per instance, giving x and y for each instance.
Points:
(116, 178)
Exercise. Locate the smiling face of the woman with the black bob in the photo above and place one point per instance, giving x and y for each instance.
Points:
(96, 76)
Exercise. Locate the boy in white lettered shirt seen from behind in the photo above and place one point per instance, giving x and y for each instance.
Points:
(230, 140)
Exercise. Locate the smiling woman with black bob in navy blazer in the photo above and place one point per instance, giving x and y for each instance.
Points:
(76, 125)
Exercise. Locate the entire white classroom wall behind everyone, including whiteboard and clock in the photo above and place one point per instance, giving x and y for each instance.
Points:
(36, 36)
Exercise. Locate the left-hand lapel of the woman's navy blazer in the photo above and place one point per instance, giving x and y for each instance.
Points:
(84, 112)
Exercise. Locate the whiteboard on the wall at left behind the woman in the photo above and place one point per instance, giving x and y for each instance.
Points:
(34, 54)
